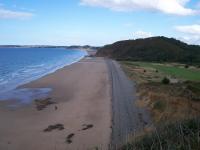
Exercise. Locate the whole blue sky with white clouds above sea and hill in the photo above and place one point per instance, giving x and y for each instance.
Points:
(96, 22)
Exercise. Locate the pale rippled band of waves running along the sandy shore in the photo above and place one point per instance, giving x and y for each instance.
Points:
(32, 72)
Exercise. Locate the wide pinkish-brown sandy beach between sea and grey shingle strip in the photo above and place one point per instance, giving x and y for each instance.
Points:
(81, 93)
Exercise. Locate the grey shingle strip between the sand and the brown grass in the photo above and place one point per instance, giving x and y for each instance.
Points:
(127, 117)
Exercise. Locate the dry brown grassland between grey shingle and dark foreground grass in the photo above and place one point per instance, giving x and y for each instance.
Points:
(165, 102)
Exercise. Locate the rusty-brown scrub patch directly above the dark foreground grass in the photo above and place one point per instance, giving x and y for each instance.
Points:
(167, 103)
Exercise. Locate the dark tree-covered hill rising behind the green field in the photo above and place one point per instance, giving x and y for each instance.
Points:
(158, 49)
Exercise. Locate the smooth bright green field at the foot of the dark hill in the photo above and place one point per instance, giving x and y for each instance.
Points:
(175, 71)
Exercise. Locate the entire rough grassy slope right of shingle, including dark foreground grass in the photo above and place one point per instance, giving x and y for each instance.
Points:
(173, 108)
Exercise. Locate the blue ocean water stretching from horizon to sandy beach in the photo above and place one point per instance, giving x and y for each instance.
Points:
(22, 65)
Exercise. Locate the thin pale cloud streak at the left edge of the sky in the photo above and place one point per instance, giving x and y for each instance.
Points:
(10, 14)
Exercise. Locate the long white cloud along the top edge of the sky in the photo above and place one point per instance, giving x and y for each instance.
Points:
(176, 7)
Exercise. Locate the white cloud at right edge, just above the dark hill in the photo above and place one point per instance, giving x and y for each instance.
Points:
(191, 33)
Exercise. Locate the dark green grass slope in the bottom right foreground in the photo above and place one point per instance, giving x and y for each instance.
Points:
(184, 135)
